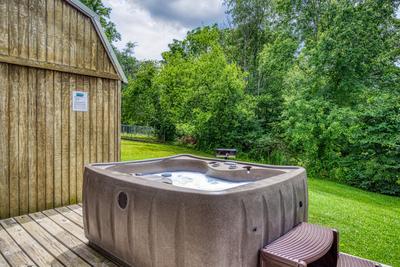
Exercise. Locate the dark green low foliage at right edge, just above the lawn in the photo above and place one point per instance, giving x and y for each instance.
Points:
(375, 147)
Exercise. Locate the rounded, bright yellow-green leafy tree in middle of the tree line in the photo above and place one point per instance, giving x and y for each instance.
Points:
(201, 94)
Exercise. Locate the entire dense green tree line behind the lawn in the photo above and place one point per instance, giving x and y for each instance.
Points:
(314, 83)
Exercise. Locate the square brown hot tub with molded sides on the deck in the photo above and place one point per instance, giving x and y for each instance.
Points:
(190, 211)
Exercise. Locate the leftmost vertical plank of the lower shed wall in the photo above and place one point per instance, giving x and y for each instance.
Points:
(4, 152)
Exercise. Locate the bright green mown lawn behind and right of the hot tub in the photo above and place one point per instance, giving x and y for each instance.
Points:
(368, 223)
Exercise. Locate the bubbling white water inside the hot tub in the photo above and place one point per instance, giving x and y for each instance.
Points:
(197, 180)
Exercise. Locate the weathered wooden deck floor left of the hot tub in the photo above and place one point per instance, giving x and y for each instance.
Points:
(50, 238)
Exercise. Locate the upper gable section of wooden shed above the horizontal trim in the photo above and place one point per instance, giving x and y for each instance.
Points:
(52, 34)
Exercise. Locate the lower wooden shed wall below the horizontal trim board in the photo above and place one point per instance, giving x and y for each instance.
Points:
(43, 143)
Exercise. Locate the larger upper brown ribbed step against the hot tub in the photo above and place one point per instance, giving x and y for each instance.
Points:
(306, 245)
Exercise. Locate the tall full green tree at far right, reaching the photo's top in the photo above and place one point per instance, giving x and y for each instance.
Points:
(344, 81)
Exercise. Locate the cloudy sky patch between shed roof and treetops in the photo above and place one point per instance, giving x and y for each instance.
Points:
(153, 24)
